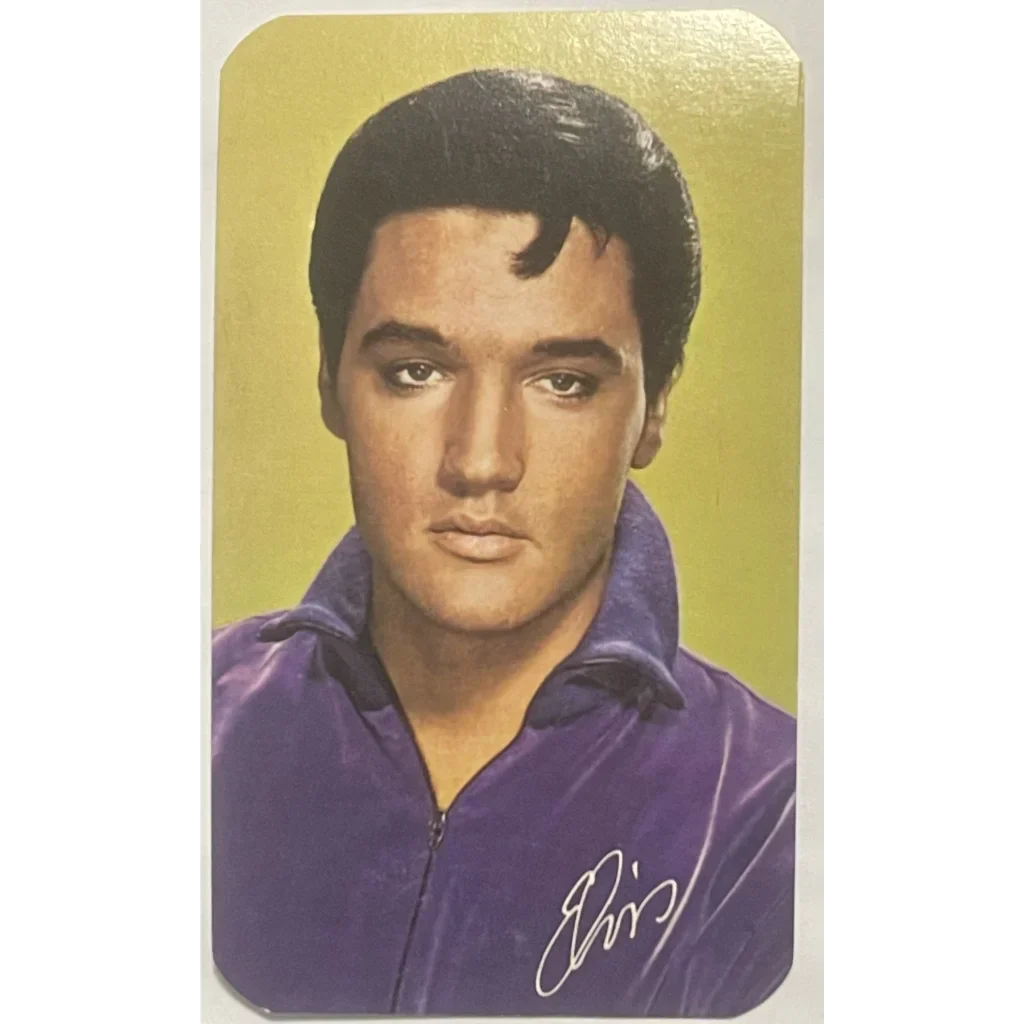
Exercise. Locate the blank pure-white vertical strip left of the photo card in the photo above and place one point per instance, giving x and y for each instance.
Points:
(100, 415)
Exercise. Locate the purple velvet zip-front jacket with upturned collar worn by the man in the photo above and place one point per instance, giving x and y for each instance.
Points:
(630, 854)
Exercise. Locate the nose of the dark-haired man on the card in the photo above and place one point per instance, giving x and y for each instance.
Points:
(484, 448)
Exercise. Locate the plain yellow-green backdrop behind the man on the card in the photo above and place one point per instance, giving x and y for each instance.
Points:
(726, 93)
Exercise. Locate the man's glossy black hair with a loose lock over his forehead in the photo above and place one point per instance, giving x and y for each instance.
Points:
(522, 143)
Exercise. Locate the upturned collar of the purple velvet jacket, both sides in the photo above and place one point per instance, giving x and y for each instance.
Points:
(631, 645)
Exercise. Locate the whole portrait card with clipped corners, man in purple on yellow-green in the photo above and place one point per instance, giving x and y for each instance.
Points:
(508, 349)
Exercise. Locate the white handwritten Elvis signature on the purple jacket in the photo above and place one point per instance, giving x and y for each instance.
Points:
(609, 922)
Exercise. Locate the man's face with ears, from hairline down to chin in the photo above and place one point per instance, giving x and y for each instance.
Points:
(491, 421)
